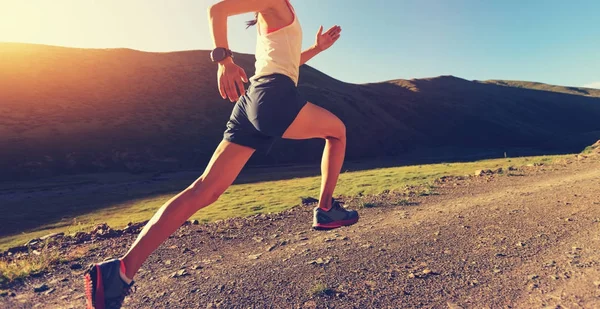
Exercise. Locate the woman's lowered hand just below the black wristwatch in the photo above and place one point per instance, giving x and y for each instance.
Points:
(231, 79)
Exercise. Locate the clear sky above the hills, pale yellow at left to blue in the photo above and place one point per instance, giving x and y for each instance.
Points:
(555, 42)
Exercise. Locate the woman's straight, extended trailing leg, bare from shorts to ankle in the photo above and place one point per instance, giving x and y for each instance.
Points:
(225, 165)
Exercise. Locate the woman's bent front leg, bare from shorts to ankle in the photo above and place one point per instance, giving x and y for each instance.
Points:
(316, 122)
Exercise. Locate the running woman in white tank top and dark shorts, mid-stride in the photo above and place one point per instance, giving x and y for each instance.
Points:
(270, 109)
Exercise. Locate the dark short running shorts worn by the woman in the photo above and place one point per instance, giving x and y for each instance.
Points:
(264, 112)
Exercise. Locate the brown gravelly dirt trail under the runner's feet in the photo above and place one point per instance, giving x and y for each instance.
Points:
(526, 241)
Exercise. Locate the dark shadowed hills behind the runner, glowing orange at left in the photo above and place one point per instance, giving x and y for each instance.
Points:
(68, 110)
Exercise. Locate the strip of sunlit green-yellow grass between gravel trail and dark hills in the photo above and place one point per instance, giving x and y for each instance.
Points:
(240, 200)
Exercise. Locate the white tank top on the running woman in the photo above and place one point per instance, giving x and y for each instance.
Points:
(279, 51)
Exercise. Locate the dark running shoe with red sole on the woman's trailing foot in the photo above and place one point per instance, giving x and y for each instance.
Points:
(104, 288)
